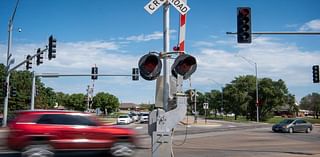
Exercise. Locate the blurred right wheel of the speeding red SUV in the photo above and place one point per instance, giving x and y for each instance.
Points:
(122, 149)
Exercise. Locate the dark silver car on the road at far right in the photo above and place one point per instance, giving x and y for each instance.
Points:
(292, 125)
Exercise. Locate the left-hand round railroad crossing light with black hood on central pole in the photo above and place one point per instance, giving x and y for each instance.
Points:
(150, 66)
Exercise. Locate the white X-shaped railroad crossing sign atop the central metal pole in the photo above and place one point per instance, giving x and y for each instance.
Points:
(153, 5)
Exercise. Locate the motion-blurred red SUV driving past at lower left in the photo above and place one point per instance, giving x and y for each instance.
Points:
(46, 132)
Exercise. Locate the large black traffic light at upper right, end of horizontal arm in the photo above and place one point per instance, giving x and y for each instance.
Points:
(244, 24)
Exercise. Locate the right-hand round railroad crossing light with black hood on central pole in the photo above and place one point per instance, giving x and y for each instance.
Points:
(184, 65)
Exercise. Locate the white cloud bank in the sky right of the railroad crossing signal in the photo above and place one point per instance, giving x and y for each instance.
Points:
(275, 59)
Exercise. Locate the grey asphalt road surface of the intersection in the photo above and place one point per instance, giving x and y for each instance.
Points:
(213, 138)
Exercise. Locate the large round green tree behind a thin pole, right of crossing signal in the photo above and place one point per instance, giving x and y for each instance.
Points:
(240, 97)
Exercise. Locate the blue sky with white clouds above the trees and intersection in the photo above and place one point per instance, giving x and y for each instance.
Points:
(114, 34)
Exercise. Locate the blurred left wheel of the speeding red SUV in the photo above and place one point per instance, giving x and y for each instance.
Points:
(43, 150)
